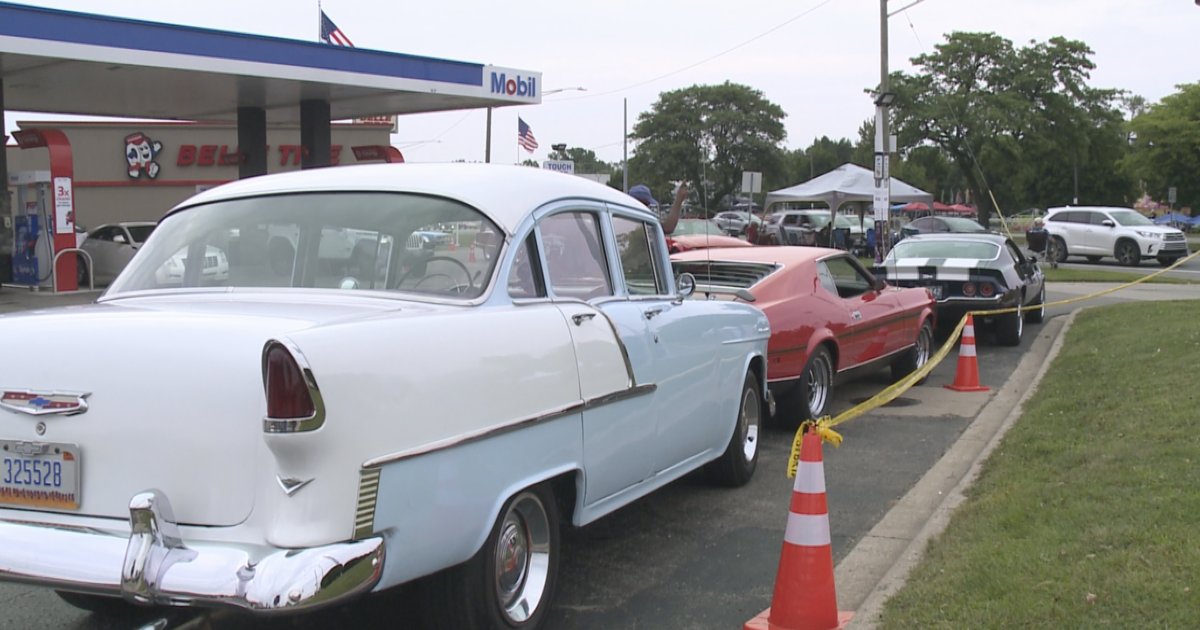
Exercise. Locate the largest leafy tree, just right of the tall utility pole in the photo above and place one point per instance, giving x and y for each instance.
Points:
(1022, 123)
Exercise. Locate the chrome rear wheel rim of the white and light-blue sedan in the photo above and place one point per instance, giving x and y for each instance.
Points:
(523, 559)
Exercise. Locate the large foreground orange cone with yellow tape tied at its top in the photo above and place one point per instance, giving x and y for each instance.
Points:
(805, 593)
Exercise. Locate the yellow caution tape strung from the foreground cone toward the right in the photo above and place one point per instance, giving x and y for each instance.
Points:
(825, 427)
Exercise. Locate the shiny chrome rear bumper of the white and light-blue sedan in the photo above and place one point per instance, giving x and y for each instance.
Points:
(154, 566)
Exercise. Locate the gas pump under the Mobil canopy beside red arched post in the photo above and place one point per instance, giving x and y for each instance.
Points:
(33, 251)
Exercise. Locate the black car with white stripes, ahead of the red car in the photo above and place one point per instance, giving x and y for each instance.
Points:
(971, 273)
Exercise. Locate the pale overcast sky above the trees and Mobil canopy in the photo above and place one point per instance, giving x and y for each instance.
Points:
(815, 64)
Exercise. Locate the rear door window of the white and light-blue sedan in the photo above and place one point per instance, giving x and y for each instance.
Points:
(579, 268)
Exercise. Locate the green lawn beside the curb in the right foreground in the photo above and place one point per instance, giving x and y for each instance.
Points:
(1088, 515)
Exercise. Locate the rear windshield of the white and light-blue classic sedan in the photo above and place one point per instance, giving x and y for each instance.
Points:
(383, 242)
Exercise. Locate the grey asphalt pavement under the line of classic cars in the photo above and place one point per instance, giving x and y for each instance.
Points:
(694, 556)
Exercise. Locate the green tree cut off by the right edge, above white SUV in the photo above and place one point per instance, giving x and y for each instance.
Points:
(1167, 147)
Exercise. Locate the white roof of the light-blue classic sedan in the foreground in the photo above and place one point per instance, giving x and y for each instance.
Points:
(506, 194)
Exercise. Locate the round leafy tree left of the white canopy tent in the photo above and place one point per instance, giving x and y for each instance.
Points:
(709, 136)
